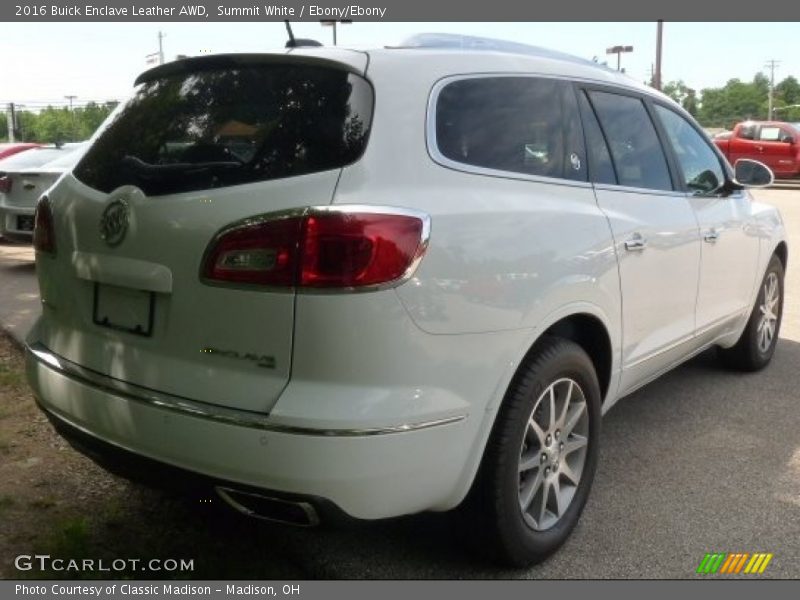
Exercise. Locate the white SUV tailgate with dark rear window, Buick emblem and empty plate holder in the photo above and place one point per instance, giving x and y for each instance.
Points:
(123, 294)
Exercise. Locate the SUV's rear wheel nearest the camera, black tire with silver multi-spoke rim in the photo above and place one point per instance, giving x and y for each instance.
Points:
(541, 457)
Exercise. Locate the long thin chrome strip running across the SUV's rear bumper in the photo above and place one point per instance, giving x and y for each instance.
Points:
(220, 414)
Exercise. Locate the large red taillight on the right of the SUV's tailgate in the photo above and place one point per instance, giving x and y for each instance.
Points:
(338, 247)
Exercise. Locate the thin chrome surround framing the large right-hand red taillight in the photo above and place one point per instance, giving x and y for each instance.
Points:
(374, 209)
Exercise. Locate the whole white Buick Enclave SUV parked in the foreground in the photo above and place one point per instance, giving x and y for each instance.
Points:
(377, 283)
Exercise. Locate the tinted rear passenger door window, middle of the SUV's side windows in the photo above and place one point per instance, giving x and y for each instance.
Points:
(635, 149)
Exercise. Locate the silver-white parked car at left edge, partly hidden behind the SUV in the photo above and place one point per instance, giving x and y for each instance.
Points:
(24, 177)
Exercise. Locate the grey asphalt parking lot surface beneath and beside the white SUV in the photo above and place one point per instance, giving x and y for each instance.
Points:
(702, 460)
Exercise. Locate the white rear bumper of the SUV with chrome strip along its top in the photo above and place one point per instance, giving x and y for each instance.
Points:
(366, 474)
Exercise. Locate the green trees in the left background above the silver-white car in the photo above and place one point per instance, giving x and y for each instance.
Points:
(57, 124)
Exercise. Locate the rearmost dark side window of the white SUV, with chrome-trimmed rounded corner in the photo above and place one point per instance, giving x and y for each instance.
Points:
(520, 124)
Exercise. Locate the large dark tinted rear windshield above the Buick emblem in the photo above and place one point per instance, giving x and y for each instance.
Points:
(221, 127)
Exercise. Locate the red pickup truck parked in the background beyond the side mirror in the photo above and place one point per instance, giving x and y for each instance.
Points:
(773, 143)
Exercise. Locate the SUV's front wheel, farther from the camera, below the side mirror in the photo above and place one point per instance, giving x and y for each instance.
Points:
(755, 348)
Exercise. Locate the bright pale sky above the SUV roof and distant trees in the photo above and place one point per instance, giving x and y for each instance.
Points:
(43, 62)
